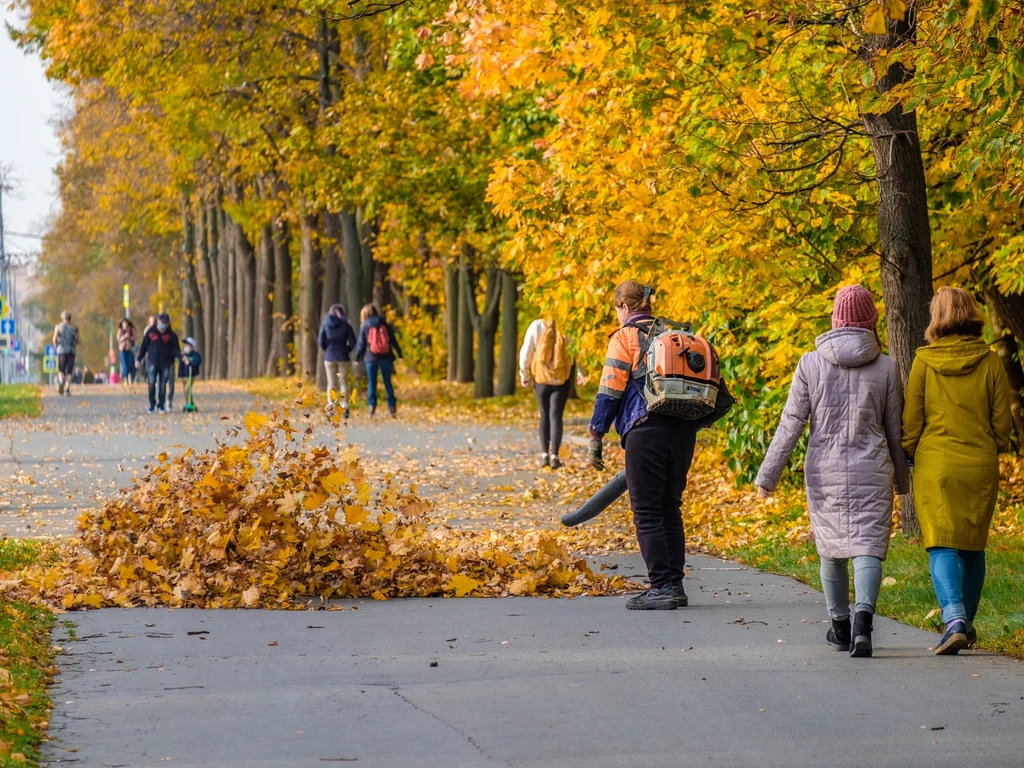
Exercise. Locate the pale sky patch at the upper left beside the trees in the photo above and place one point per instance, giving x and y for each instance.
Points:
(29, 107)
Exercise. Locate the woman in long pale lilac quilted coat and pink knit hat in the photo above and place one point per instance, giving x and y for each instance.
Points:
(854, 398)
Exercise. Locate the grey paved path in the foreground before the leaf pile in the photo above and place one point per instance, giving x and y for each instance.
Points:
(741, 678)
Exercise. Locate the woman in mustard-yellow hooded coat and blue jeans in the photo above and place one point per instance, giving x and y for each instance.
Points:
(956, 423)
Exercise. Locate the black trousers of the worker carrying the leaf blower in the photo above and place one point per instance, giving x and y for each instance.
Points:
(659, 453)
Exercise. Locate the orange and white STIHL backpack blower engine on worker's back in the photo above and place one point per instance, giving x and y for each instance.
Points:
(681, 372)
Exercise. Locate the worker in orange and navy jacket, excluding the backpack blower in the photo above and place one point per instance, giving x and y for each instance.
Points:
(659, 451)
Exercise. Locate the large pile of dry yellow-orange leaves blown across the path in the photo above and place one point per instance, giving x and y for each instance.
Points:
(275, 523)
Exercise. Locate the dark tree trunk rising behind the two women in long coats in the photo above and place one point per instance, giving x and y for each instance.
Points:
(905, 236)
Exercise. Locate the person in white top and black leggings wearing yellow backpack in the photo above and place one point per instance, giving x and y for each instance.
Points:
(545, 361)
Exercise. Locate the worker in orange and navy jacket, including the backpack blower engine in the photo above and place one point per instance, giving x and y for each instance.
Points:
(660, 386)
